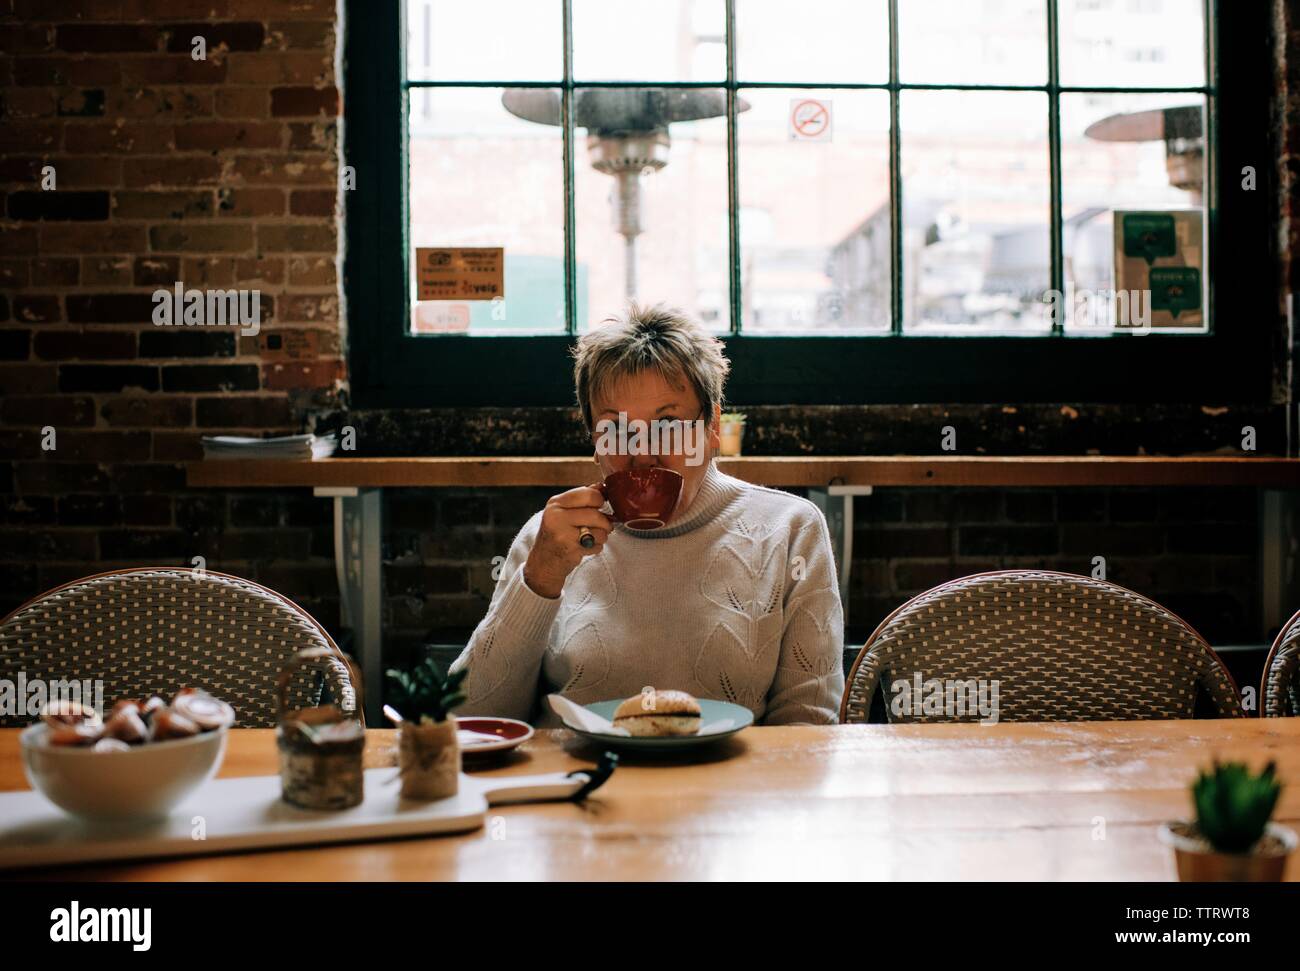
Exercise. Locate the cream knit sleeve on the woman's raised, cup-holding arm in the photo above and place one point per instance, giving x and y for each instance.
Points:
(505, 653)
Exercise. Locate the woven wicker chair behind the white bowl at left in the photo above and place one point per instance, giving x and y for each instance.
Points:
(158, 630)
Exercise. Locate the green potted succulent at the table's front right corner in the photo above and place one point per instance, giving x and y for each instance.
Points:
(1232, 838)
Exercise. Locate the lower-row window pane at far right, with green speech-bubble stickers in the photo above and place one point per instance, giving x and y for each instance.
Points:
(1141, 153)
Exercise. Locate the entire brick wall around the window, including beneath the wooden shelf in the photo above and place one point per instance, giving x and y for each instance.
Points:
(223, 174)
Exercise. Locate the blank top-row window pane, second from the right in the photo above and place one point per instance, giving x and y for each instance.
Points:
(973, 42)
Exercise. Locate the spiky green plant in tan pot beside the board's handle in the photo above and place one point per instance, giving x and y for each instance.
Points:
(428, 751)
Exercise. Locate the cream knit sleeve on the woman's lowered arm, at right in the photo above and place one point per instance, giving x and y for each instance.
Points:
(811, 671)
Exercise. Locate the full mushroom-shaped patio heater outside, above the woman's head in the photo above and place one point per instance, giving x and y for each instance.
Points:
(627, 137)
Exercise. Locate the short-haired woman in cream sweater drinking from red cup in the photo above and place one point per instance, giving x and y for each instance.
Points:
(734, 599)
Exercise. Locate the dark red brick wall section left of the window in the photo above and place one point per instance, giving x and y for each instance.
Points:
(216, 174)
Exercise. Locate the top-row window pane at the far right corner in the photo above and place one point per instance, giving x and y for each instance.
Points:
(1133, 44)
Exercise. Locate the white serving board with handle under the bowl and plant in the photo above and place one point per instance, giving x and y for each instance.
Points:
(245, 814)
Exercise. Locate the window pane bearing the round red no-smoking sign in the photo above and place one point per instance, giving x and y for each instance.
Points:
(814, 219)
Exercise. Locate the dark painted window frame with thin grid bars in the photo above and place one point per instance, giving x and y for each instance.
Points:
(1232, 365)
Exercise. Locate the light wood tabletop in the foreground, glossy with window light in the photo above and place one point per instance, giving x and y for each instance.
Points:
(1065, 801)
